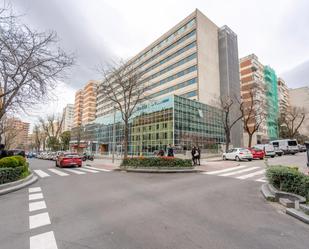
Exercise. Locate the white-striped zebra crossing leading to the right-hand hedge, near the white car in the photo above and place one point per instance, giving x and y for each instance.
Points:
(243, 172)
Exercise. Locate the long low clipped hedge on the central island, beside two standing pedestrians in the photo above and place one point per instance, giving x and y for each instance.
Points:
(156, 162)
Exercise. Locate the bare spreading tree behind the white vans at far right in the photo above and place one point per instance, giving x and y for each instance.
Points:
(291, 121)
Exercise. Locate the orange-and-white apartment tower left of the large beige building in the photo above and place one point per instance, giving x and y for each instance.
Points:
(85, 104)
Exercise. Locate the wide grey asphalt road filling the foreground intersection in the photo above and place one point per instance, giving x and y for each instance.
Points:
(117, 210)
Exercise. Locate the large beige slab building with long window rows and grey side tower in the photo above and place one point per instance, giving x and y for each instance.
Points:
(195, 60)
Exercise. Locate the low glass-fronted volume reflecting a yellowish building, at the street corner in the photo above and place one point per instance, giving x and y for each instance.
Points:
(171, 120)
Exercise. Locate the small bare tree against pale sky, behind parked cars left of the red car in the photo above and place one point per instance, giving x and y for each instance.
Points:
(51, 127)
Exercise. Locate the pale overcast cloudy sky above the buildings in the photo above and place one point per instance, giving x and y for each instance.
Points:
(99, 31)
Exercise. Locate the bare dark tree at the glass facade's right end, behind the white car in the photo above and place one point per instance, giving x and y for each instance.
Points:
(227, 104)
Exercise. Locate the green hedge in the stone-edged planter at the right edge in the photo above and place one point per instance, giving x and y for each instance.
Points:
(289, 180)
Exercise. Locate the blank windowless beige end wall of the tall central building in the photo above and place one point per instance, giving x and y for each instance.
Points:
(208, 61)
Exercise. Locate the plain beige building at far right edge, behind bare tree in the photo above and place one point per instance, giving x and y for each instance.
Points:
(299, 97)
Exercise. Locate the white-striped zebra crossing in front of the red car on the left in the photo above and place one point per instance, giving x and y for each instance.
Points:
(50, 172)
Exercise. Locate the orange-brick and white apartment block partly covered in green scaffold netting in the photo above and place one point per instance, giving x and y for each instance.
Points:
(262, 82)
